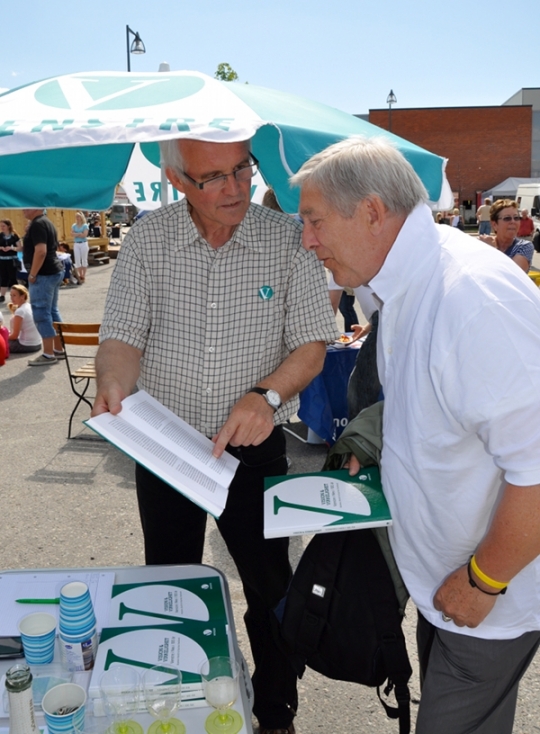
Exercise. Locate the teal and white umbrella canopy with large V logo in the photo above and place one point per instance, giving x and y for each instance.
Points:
(67, 141)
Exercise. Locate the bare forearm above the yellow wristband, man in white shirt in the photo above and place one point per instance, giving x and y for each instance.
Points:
(513, 539)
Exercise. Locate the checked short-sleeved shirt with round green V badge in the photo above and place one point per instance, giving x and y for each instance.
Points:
(211, 322)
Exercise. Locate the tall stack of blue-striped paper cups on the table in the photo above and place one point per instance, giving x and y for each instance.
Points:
(77, 627)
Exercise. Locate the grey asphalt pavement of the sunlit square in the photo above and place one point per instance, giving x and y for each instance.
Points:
(73, 503)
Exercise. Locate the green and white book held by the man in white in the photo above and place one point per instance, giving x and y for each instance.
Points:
(324, 502)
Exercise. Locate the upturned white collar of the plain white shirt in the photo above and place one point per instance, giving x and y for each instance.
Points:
(415, 246)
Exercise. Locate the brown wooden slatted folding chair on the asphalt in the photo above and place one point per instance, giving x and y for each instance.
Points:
(80, 374)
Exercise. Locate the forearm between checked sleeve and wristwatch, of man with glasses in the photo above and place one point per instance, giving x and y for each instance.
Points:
(297, 371)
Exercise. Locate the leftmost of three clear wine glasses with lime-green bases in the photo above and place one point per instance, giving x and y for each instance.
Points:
(120, 693)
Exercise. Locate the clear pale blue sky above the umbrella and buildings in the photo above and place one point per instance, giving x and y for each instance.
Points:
(345, 53)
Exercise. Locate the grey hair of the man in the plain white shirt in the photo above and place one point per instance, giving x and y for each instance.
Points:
(353, 169)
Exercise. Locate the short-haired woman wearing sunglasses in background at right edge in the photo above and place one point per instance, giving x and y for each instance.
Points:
(505, 221)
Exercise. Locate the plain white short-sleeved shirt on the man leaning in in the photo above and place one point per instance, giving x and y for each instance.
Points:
(459, 361)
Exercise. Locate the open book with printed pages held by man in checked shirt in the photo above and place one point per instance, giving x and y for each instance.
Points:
(169, 447)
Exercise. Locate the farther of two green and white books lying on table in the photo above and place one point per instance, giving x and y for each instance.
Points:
(165, 602)
